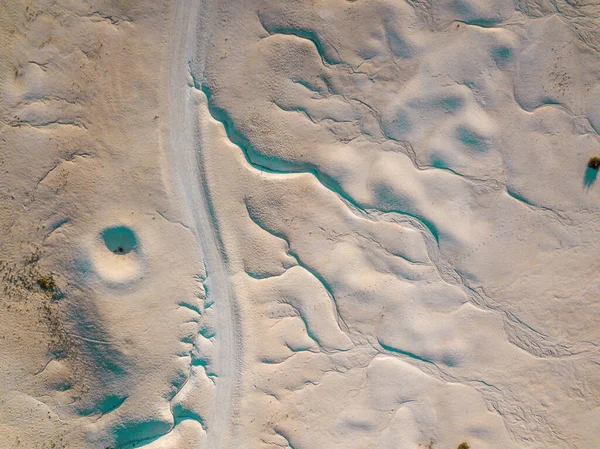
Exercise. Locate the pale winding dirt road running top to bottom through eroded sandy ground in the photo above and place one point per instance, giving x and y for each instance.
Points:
(189, 31)
